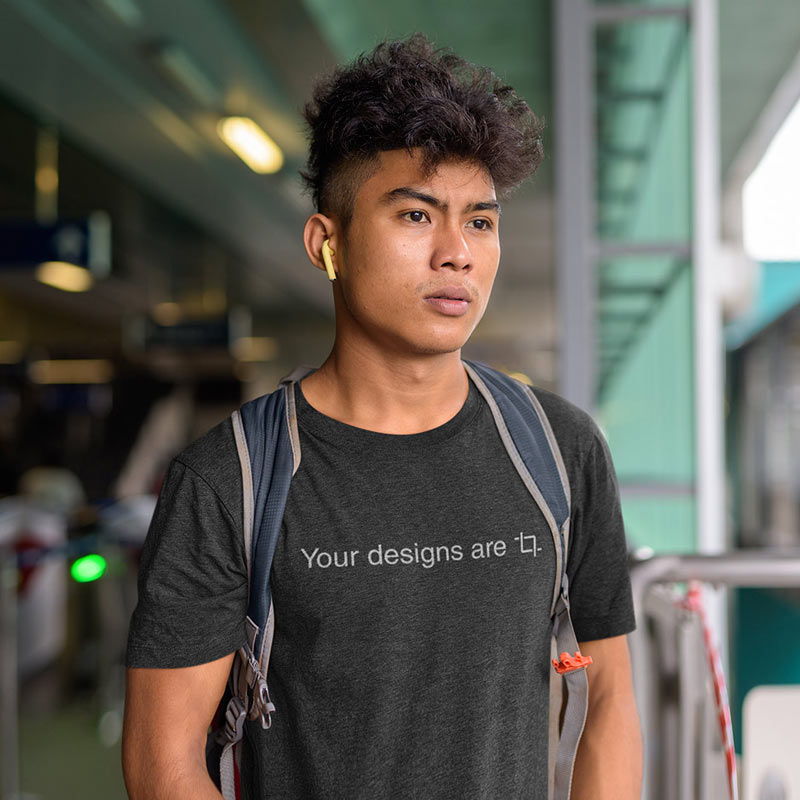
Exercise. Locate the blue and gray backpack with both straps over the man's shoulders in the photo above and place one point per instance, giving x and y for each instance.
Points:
(268, 444)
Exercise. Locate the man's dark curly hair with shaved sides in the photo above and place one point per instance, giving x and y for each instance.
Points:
(407, 94)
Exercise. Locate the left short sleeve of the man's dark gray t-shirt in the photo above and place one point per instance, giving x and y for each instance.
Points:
(193, 577)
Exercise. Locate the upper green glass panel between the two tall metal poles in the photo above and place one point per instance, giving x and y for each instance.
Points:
(643, 176)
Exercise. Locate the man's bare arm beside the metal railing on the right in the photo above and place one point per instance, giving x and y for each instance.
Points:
(609, 762)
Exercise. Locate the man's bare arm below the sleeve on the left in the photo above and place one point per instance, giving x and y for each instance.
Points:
(167, 714)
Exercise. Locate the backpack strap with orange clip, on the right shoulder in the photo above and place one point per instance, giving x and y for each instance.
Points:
(530, 443)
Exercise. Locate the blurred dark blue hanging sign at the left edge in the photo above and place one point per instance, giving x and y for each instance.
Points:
(84, 242)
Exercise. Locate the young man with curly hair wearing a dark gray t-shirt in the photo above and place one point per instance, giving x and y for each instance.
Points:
(424, 673)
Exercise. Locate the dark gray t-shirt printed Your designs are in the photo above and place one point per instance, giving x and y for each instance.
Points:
(411, 584)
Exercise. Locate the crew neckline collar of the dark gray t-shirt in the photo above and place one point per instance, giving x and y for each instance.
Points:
(343, 435)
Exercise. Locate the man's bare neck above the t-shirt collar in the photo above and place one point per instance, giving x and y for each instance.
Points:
(388, 392)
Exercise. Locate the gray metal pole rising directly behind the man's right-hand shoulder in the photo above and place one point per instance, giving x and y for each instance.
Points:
(575, 230)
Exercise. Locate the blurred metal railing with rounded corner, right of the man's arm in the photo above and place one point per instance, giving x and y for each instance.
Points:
(670, 683)
